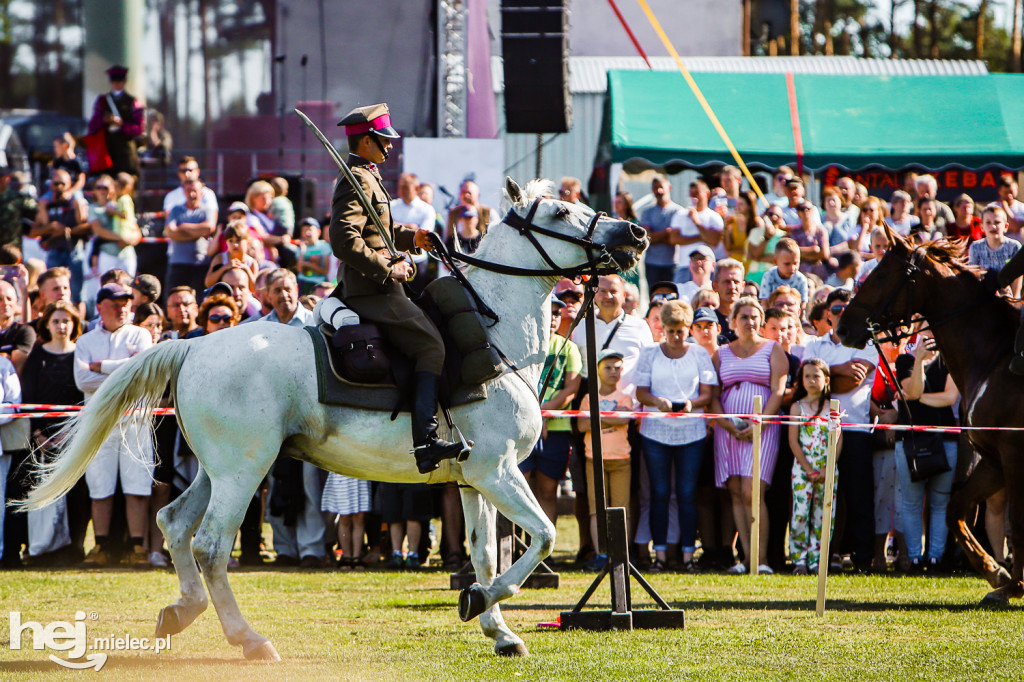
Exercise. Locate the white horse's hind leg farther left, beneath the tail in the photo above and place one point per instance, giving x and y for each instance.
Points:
(179, 522)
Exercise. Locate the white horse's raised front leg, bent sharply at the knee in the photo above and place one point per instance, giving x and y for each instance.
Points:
(507, 489)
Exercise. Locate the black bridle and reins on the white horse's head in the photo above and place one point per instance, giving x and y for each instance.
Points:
(600, 262)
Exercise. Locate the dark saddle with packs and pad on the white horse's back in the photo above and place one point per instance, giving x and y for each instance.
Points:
(358, 368)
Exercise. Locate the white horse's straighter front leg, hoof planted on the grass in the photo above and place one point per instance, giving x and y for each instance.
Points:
(481, 528)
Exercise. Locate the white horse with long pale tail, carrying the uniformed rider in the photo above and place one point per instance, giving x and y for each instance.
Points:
(250, 394)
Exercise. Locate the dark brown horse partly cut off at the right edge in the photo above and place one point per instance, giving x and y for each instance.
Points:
(974, 330)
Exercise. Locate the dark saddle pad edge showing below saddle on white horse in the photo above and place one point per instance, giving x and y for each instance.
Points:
(333, 390)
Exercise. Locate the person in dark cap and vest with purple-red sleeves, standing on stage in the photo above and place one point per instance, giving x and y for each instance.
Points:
(123, 118)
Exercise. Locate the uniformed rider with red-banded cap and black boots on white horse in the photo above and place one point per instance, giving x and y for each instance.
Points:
(372, 285)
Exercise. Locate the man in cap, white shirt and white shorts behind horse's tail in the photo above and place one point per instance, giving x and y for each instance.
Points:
(127, 453)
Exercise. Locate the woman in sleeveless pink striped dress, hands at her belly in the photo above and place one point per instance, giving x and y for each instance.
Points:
(750, 366)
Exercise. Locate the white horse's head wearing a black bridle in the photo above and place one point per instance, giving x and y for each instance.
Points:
(561, 238)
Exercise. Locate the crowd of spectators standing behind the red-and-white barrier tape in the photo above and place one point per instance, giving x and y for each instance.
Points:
(738, 297)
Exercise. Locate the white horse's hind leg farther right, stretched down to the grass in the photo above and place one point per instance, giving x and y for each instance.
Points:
(212, 546)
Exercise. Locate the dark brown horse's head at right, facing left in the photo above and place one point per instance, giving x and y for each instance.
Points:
(889, 297)
